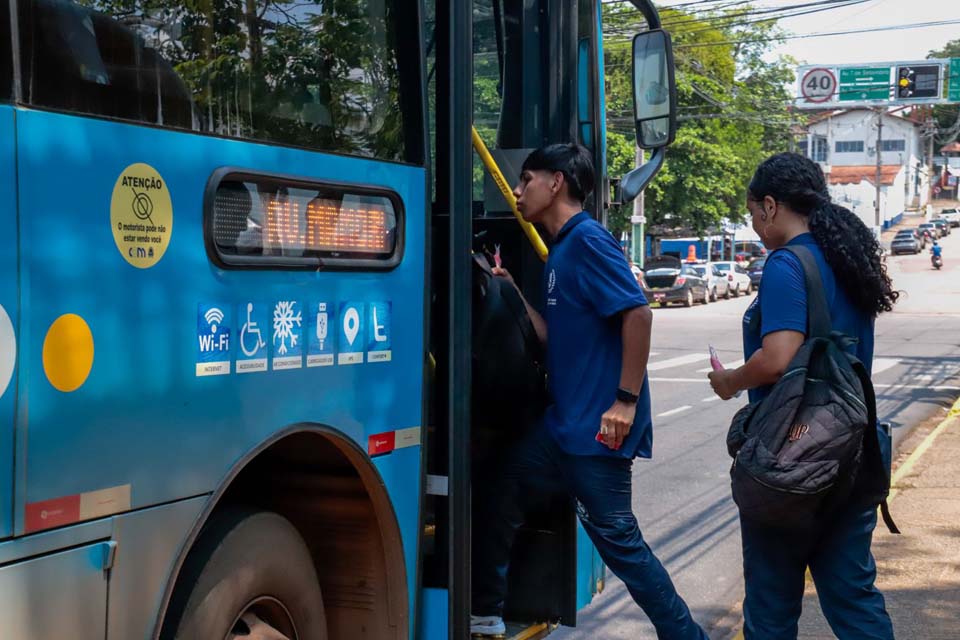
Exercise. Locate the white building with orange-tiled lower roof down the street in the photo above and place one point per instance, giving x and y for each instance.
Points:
(844, 143)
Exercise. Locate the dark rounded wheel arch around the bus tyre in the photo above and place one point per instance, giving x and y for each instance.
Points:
(323, 463)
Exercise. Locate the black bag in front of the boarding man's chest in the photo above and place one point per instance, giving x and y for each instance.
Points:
(509, 378)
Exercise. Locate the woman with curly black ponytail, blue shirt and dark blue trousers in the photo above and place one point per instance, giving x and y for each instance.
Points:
(790, 205)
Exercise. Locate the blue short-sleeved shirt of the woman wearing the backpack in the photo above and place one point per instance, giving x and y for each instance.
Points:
(782, 304)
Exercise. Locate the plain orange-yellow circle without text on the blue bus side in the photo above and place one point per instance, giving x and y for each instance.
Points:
(68, 353)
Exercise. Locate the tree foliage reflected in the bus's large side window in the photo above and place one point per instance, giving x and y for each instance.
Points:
(309, 72)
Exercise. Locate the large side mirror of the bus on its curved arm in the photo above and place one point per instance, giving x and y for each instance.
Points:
(654, 106)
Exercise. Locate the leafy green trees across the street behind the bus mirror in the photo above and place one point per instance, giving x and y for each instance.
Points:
(733, 108)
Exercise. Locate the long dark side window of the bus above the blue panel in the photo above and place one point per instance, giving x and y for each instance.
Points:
(270, 71)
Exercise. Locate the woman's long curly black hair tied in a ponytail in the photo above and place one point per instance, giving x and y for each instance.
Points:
(849, 247)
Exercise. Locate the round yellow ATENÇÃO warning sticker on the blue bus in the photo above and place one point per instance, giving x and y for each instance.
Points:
(141, 215)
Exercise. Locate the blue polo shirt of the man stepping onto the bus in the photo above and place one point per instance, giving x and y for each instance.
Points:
(588, 284)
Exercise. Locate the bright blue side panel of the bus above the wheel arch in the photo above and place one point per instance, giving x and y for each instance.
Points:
(144, 428)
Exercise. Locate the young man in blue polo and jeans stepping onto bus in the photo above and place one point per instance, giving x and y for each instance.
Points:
(599, 420)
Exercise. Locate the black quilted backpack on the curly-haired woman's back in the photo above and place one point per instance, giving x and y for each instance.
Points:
(812, 445)
